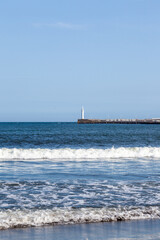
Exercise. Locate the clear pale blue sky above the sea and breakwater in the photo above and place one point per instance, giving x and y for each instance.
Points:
(57, 55)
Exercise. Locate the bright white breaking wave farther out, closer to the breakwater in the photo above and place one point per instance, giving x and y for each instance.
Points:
(69, 153)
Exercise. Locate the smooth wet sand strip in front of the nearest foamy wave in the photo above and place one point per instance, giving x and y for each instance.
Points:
(141, 229)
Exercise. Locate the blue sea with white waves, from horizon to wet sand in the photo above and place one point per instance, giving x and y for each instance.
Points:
(65, 173)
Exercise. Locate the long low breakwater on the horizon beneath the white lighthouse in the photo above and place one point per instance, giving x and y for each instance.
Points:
(119, 121)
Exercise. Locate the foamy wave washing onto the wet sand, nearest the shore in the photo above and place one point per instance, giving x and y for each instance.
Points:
(26, 218)
